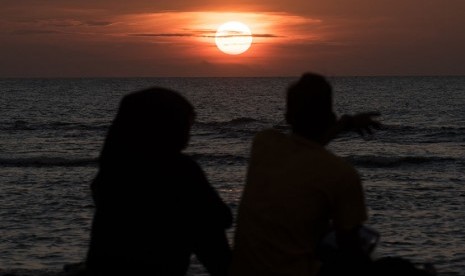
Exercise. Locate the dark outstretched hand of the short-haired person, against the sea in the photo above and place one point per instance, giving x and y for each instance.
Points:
(362, 123)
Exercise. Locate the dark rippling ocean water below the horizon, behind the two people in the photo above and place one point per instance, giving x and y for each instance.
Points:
(52, 130)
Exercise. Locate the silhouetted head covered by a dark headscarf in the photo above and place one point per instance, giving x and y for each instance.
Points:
(149, 123)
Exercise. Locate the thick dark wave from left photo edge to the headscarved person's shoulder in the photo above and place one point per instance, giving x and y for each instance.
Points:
(47, 162)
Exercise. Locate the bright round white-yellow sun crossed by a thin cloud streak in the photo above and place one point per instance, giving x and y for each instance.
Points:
(233, 38)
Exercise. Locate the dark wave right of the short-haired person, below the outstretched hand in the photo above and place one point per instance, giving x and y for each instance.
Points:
(396, 161)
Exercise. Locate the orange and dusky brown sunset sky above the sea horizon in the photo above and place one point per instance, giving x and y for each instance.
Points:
(142, 38)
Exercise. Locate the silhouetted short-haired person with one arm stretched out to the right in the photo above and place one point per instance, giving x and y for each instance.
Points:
(296, 190)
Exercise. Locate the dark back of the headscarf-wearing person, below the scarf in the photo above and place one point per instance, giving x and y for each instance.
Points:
(153, 217)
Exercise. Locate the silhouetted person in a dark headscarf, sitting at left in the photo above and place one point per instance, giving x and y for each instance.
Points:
(154, 205)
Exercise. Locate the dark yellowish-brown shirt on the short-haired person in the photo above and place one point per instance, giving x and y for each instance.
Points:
(294, 188)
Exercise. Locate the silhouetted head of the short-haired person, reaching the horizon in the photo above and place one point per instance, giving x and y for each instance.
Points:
(309, 106)
